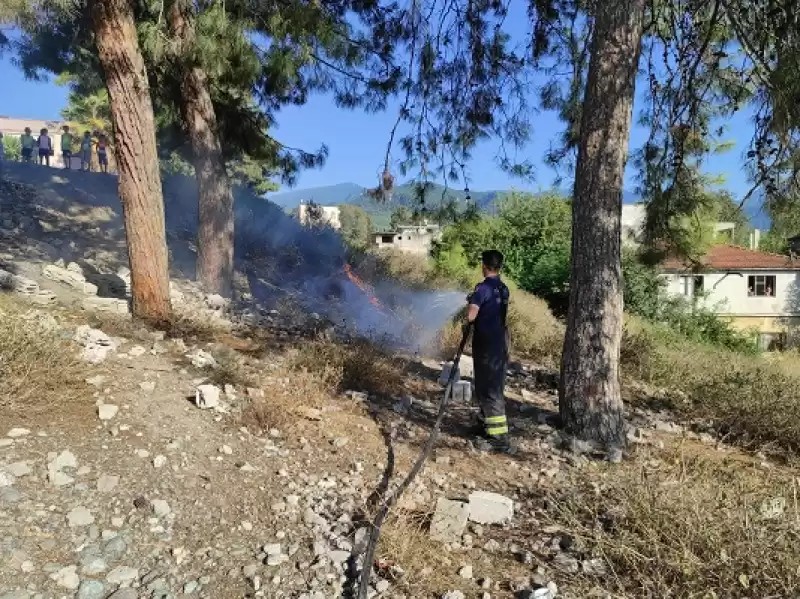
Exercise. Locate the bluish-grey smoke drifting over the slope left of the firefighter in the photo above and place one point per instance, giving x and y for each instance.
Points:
(283, 259)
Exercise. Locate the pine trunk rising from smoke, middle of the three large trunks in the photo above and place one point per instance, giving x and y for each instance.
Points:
(215, 236)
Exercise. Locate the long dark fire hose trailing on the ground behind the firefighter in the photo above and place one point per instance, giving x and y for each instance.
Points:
(369, 556)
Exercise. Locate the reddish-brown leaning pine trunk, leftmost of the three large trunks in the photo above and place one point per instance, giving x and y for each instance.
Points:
(135, 153)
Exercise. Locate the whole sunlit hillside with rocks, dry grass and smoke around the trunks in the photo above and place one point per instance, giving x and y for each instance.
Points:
(243, 453)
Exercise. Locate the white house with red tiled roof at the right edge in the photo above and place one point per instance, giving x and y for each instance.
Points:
(756, 290)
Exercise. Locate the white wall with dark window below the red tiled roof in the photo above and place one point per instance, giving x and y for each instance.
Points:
(727, 293)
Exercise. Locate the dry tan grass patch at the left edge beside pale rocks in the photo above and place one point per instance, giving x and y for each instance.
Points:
(38, 368)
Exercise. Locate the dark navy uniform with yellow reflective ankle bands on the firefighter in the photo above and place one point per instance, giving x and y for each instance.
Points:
(490, 353)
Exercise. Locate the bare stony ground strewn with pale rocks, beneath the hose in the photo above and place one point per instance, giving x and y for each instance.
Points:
(216, 463)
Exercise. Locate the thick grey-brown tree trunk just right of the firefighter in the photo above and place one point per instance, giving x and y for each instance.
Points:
(589, 394)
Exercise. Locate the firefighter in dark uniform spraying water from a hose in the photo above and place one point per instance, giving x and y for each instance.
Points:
(488, 308)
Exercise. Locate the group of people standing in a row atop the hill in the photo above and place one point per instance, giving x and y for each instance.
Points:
(40, 149)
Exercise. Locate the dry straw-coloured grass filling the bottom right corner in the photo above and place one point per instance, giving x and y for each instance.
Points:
(690, 524)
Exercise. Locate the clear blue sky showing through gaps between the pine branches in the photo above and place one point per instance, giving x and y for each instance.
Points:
(357, 141)
